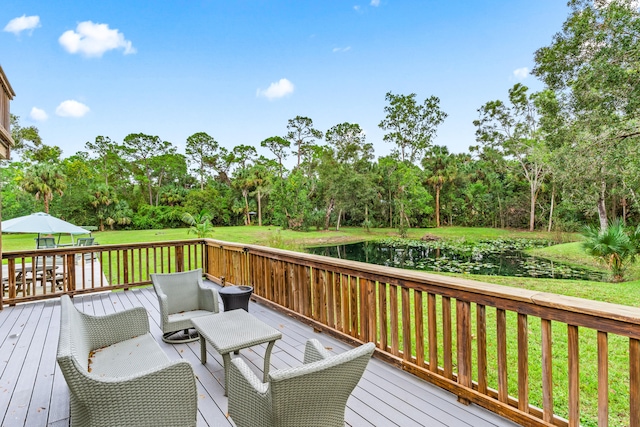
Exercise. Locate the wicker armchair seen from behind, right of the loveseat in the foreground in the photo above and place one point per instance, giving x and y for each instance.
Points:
(314, 394)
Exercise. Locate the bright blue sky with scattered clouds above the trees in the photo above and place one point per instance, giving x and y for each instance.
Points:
(239, 70)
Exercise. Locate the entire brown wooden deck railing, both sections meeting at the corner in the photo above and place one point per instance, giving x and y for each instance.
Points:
(535, 358)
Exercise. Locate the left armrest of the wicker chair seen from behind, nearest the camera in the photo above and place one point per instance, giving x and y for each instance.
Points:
(249, 398)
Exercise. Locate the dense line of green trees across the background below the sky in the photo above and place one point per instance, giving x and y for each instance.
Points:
(554, 159)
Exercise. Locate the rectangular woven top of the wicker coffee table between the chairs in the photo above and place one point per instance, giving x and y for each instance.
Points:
(234, 330)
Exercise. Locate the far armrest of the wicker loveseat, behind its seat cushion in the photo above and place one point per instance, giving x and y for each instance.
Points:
(112, 328)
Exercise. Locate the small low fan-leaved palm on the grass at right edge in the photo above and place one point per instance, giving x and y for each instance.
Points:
(612, 246)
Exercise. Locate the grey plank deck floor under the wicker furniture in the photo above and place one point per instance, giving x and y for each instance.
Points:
(33, 391)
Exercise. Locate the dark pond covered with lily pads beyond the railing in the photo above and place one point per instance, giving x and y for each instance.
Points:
(497, 258)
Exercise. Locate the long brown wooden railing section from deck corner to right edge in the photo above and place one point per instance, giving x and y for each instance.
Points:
(412, 318)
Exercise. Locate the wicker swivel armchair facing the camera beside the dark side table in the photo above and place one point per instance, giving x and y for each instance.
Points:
(182, 296)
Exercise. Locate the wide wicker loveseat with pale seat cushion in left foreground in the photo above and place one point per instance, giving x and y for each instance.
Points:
(117, 373)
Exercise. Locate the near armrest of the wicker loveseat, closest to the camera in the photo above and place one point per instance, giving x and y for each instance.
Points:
(163, 396)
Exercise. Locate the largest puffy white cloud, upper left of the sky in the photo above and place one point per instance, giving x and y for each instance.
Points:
(93, 40)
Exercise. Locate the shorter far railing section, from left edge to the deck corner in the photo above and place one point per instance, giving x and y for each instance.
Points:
(49, 273)
